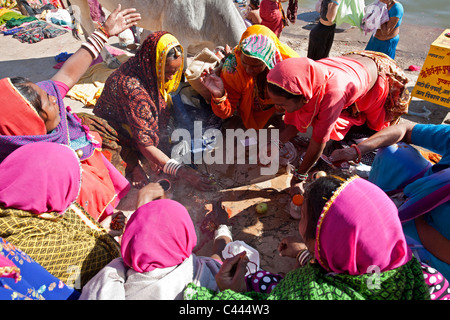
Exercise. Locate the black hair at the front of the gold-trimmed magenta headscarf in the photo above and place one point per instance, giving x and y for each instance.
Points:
(317, 195)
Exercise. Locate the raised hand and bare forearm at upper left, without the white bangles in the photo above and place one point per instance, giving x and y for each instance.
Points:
(74, 68)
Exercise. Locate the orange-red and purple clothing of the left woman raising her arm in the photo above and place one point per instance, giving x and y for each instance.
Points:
(102, 186)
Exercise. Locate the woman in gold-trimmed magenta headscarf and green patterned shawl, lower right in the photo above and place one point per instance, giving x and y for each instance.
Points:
(353, 249)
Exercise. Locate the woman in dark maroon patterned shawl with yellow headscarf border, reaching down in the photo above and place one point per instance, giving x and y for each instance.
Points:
(133, 113)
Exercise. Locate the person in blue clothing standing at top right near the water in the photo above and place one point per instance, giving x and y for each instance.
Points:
(386, 38)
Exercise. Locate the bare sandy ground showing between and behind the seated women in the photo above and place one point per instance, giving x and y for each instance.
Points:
(241, 186)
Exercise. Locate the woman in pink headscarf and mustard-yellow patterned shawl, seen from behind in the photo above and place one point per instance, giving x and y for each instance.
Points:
(39, 214)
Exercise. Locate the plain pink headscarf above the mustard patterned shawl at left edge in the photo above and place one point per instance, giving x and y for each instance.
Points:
(40, 177)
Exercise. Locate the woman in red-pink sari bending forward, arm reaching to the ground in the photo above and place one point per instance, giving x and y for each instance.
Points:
(332, 95)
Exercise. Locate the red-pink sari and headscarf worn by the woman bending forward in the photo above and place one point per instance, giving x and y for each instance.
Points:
(339, 95)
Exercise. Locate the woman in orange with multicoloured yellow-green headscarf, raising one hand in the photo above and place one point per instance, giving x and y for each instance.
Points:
(242, 85)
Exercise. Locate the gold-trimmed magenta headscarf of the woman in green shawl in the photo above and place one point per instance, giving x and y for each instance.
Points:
(359, 228)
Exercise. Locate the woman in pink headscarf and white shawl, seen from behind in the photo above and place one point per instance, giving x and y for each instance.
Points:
(157, 257)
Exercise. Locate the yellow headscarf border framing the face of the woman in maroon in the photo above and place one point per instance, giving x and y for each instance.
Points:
(165, 44)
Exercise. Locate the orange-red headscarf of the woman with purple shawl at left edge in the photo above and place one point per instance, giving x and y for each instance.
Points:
(16, 110)
